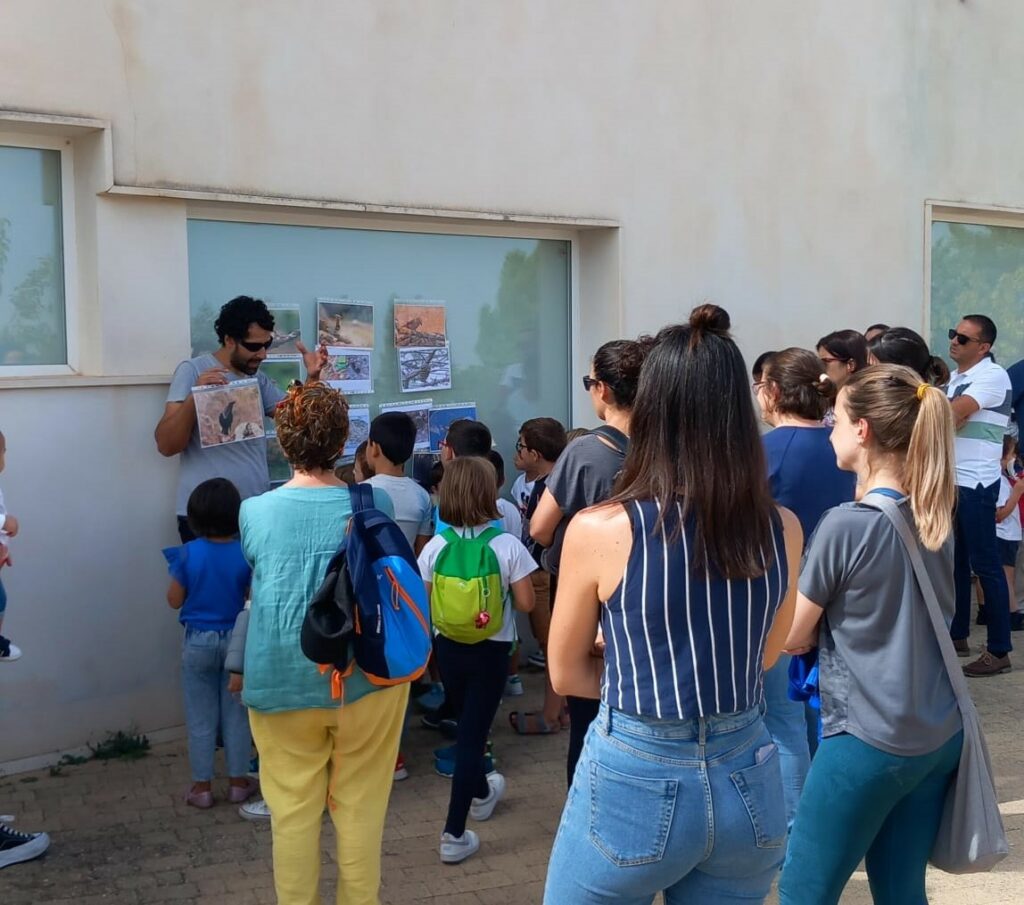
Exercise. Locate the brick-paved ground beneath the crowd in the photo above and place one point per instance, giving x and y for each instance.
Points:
(121, 834)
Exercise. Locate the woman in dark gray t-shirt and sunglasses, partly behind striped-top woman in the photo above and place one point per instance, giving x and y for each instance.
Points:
(585, 476)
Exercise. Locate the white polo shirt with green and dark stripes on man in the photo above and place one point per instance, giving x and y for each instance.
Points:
(979, 442)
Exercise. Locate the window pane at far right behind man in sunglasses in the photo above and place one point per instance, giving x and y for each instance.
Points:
(978, 271)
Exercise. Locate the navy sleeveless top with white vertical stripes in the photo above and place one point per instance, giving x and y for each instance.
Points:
(681, 644)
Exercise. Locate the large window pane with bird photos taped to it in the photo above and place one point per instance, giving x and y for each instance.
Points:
(507, 306)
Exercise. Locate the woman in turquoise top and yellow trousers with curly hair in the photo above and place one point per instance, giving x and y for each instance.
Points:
(313, 751)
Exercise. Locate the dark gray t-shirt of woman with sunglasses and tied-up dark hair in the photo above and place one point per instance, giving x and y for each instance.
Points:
(584, 476)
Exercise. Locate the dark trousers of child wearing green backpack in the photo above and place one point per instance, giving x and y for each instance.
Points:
(475, 680)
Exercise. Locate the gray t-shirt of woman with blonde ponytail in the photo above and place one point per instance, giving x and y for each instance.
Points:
(881, 672)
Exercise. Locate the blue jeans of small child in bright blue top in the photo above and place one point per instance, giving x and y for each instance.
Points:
(209, 704)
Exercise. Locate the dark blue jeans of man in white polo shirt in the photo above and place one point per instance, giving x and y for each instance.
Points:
(974, 528)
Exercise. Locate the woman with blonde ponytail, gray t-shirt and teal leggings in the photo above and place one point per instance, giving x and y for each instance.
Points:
(892, 731)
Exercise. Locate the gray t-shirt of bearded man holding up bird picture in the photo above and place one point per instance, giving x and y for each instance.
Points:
(243, 463)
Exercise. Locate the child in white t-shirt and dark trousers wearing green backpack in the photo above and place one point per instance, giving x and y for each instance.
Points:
(475, 673)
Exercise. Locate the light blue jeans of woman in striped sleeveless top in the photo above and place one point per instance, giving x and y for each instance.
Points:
(692, 808)
